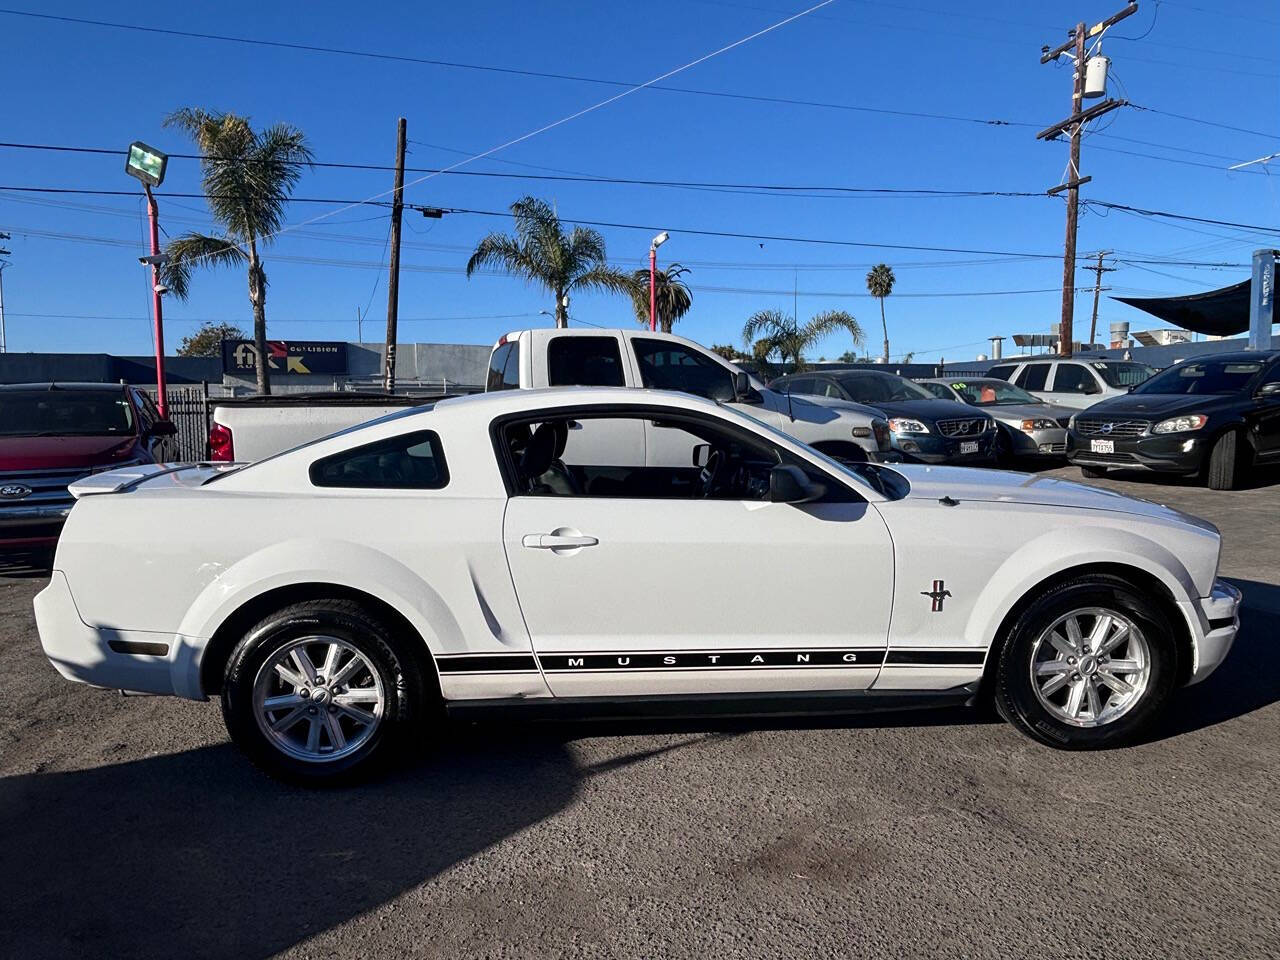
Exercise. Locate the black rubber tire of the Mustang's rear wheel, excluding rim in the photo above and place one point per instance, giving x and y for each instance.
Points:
(405, 696)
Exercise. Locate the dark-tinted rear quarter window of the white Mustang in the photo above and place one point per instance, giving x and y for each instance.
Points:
(410, 463)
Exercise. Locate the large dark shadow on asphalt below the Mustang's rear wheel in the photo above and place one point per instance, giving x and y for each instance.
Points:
(198, 854)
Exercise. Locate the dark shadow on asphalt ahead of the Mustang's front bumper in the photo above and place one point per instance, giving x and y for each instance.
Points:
(1249, 679)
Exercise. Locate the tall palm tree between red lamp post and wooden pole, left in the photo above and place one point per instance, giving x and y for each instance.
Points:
(248, 177)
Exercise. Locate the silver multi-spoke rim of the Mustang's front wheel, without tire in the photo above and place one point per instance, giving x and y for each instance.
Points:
(1091, 668)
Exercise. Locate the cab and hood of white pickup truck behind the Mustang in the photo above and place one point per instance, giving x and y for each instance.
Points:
(642, 359)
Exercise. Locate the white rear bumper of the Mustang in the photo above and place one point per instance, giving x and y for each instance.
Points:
(120, 660)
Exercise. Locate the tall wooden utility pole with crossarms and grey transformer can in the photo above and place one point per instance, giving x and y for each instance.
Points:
(1075, 126)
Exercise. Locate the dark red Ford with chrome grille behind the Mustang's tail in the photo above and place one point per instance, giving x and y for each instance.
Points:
(53, 435)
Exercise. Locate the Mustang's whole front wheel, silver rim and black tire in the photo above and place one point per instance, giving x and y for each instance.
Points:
(1089, 665)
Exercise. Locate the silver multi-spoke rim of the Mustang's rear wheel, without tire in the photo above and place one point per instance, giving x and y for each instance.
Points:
(318, 700)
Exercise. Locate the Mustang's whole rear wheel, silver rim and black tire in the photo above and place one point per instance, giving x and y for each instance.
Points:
(321, 693)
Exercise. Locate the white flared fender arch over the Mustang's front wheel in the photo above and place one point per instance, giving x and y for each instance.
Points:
(1068, 548)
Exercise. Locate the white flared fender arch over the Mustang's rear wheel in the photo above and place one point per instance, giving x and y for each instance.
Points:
(312, 561)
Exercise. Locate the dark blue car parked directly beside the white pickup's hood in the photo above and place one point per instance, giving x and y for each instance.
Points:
(922, 427)
